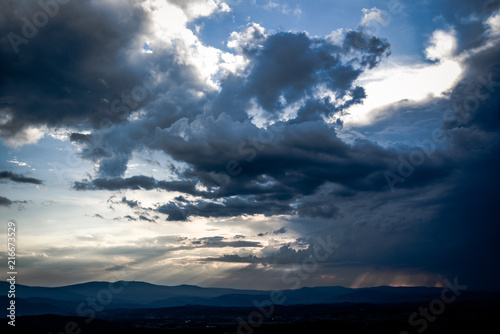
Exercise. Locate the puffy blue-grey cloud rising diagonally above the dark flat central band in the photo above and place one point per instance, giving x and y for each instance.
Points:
(273, 82)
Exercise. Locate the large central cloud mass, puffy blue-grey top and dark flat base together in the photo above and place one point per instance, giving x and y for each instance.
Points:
(292, 157)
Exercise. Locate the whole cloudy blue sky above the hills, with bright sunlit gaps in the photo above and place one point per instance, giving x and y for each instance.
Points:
(223, 143)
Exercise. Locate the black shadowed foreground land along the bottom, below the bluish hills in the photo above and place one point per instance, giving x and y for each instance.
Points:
(457, 317)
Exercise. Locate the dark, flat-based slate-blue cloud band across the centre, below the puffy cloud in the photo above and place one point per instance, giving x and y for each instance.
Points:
(299, 159)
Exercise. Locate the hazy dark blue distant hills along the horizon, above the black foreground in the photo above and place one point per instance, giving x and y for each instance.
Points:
(65, 300)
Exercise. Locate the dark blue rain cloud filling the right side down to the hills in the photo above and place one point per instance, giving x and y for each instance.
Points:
(458, 235)
